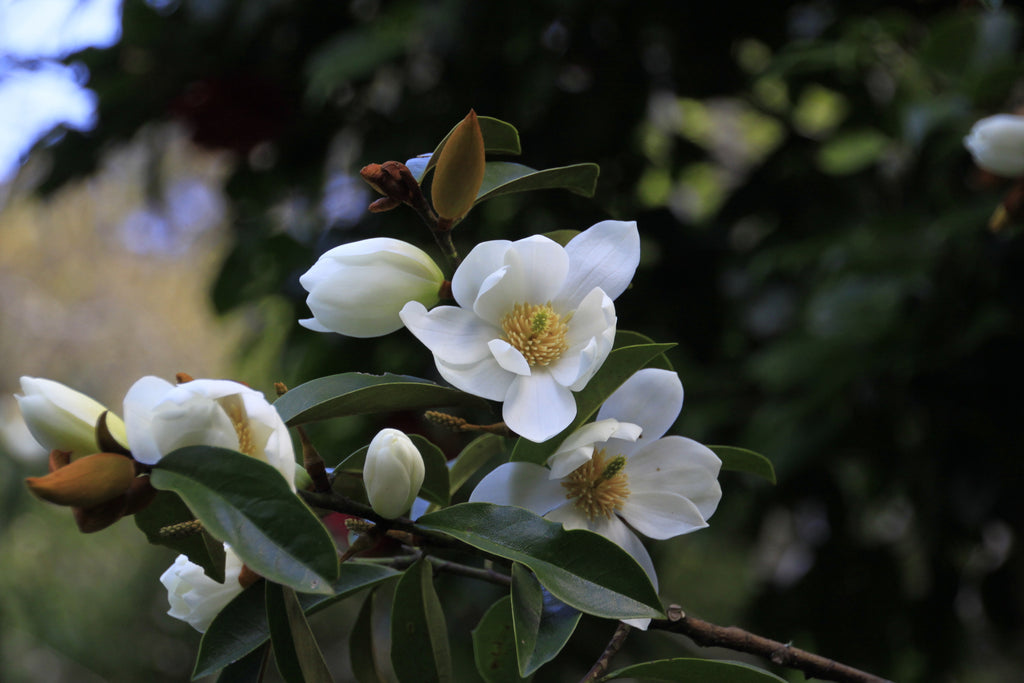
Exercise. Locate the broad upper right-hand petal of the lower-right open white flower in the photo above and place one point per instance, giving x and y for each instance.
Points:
(679, 465)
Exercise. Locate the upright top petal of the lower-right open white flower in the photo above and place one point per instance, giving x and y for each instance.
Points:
(652, 399)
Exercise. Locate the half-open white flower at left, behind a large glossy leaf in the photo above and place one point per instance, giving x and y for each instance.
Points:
(161, 417)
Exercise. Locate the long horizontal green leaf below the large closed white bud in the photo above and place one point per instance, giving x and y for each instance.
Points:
(359, 394)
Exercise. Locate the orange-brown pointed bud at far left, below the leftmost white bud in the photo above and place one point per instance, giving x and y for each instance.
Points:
(88, 482)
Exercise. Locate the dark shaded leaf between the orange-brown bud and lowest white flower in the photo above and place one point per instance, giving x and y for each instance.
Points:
(168, 509)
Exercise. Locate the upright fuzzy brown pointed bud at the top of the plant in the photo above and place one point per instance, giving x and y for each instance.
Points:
(460, 170)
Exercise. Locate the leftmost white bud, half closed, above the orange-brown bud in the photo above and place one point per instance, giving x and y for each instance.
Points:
(62, 418)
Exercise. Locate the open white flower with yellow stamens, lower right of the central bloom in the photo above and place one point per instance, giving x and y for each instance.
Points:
(661, 487)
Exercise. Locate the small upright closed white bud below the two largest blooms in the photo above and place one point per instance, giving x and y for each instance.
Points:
(393, 474)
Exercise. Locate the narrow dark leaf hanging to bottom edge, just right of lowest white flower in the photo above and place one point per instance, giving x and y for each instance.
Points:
(295, 650)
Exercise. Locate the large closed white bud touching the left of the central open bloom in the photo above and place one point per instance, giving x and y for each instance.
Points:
(358, 289)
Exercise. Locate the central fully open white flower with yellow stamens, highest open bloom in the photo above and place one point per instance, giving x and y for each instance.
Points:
(535, 322)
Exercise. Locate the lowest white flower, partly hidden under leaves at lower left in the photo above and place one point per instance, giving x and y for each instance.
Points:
(195, 597)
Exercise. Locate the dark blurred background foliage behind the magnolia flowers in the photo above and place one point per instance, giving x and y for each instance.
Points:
(815, 240)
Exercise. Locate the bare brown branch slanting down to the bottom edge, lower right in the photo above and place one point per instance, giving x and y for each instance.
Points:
(711, 635)
